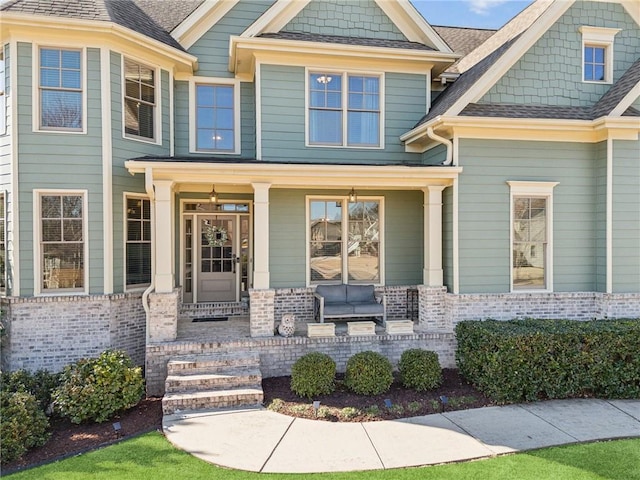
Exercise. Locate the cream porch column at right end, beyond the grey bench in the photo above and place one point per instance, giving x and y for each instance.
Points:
(432, 275)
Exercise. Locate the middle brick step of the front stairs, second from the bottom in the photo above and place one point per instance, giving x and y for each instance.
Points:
(223, 378)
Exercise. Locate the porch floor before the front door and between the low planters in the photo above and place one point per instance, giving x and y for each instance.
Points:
(237, 327)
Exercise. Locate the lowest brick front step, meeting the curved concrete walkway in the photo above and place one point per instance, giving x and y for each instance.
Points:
(233, 397)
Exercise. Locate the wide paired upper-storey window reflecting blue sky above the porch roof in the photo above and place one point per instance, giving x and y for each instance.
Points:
(344, 110)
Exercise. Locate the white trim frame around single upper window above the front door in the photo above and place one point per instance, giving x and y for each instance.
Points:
(193, 147)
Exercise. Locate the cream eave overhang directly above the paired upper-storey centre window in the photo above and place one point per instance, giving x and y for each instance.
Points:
(245, 52)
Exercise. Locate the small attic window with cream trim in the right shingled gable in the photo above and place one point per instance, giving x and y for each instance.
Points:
(597, 54)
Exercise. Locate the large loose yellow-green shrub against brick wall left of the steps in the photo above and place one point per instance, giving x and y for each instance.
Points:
(95, 389)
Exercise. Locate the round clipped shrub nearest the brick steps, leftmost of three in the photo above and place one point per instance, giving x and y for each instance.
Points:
(313, 374)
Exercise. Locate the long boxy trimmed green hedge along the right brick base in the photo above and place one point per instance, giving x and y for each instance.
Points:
(528, 360)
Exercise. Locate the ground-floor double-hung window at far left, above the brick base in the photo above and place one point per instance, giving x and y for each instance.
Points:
(62, 242)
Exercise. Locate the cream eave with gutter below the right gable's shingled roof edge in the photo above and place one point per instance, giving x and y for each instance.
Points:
(497, 128)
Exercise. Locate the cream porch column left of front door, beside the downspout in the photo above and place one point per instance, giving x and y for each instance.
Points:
(163, 236)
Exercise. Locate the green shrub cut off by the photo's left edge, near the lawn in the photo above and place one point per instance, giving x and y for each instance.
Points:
(23, 425)
